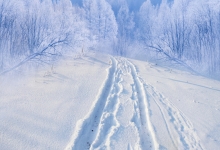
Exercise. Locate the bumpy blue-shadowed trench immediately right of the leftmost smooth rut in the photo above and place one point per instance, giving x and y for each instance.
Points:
(109, 123)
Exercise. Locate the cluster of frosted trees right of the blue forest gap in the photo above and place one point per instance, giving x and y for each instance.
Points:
(184, 30)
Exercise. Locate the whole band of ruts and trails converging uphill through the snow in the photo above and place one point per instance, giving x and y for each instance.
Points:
(102, 125)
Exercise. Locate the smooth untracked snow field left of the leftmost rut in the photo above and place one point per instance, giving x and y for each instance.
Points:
(40, 110)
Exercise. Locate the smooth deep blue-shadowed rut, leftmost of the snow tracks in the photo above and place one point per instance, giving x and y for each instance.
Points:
(87, 128)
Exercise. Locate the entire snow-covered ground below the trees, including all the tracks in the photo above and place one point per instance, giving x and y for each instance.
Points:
(105, 102)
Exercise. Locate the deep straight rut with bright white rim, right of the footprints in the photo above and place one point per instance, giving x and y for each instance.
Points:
(146, 129)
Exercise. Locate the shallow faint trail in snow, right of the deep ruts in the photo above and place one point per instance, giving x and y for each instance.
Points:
(175, 119)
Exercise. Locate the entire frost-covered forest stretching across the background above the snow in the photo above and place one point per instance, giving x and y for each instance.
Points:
(39, 31)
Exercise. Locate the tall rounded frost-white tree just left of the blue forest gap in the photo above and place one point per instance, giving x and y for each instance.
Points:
(101, 21)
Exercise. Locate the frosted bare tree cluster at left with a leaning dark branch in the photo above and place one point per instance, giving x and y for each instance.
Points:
(36, 30)
